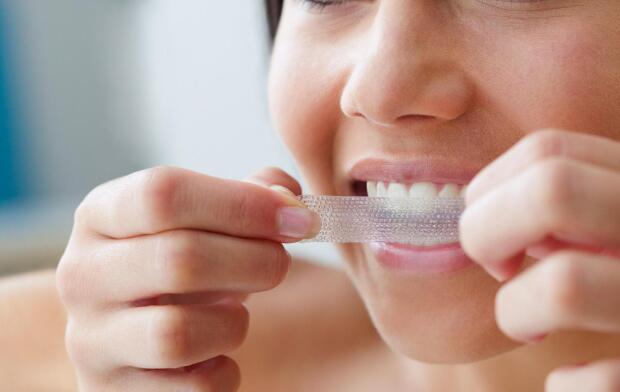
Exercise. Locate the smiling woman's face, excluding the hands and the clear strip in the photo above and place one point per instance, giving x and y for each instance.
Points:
(426, 93)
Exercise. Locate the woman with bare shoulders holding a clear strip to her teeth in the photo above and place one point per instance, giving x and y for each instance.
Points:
(517, 100)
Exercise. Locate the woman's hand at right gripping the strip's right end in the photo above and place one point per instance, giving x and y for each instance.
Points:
(555, 196)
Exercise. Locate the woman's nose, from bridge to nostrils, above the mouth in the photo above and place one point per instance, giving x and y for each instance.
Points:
(409, 71)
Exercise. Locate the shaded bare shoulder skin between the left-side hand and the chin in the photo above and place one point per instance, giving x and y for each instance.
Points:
(314, 316)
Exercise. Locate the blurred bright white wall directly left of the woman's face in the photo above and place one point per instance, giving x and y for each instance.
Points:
(205, 72)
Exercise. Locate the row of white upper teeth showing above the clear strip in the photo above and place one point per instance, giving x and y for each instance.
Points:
(417, 189)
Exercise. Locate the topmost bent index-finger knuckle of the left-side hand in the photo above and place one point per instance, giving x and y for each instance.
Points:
(159, 191)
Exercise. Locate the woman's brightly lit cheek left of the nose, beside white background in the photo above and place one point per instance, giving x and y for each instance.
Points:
(304, 104)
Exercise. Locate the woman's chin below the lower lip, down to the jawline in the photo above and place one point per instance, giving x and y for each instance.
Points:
(445, 318)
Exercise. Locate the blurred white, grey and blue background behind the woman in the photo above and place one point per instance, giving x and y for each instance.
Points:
(95, 89)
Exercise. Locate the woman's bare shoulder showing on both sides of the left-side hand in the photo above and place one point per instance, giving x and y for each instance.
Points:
(312, 317)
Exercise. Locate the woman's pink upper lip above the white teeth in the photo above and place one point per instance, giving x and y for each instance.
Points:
(429, 169)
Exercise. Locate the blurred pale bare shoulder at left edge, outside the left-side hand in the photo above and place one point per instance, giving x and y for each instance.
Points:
(33, 356)
